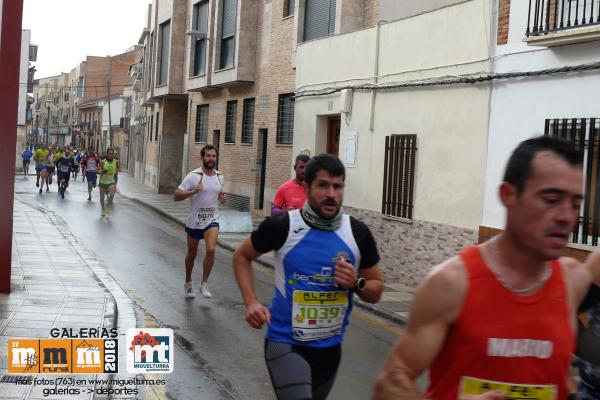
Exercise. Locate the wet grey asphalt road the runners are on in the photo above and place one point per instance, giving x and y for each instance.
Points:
(144, 253)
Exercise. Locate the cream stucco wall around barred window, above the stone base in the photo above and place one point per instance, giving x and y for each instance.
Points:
(450, 122)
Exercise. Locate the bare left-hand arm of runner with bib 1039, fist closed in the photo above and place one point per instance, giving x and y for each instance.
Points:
(256, 314)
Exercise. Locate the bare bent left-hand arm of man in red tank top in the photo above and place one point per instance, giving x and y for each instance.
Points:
(436, 306)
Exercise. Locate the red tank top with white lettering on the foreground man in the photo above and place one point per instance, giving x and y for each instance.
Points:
(518, 344)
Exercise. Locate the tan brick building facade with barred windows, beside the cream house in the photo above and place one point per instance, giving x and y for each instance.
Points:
(270, 56)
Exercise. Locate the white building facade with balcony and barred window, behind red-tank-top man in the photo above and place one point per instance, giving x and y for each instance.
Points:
(561, 34)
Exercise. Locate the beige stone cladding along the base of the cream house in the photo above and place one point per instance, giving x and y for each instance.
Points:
(409, 250)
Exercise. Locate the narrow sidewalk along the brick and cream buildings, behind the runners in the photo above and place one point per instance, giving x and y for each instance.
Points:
(396, 299)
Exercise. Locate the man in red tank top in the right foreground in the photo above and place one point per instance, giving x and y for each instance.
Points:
(498, 320)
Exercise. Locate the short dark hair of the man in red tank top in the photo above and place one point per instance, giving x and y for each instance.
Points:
(518, 168)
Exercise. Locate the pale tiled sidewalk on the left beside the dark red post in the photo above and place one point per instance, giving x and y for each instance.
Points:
(56, 283)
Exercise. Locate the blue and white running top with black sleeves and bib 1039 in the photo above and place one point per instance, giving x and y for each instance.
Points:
(308, 308)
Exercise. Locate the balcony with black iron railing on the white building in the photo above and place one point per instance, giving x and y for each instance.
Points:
(560, 22)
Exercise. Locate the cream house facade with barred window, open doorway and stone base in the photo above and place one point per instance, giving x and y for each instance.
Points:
(414, 148)
